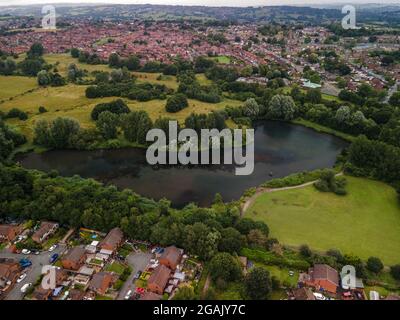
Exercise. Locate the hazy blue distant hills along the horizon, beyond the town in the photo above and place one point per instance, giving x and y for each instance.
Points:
(281, 14)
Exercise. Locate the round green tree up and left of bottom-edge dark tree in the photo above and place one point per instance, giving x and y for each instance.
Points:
(226, 267)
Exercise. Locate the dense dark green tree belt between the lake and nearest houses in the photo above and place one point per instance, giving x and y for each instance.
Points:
(76, 202)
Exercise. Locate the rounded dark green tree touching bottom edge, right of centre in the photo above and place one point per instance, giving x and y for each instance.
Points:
(258, 284)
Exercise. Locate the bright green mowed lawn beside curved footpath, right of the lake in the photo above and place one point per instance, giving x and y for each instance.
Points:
(366, 222)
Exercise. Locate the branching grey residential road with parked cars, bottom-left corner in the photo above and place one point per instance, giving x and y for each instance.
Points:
(33, 272)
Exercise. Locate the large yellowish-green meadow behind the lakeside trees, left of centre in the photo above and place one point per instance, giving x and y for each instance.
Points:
(70, 101)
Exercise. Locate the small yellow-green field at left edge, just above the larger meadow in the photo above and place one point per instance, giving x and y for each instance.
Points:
(14, 85)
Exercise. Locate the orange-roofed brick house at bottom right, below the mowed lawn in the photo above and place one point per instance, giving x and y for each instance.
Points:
(321, 277)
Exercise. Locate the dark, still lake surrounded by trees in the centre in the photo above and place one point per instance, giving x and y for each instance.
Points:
(280, 148)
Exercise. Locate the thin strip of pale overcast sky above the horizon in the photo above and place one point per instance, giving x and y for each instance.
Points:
(200, 2)
